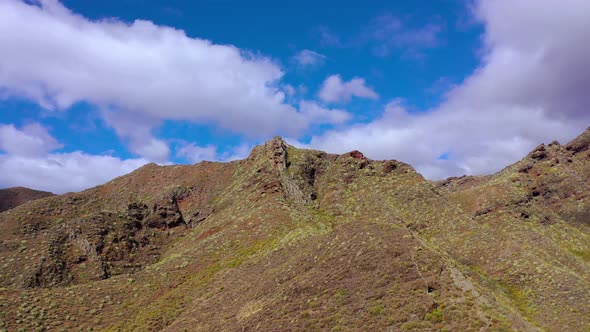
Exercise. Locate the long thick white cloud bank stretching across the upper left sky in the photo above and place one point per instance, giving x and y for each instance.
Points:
(58, 58)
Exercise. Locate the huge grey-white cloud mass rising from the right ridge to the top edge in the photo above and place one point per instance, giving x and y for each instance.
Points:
(530, 88)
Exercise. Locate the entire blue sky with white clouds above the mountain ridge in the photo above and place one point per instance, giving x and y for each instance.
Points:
(91, 90)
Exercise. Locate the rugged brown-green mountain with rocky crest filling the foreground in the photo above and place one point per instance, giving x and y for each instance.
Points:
(298, 240)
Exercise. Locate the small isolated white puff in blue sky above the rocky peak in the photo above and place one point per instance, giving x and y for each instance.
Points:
(334, 89)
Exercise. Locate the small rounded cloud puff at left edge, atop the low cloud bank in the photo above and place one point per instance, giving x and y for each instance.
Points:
(32, 140)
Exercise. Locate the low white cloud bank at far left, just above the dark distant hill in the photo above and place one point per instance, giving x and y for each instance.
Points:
(28, 161)
